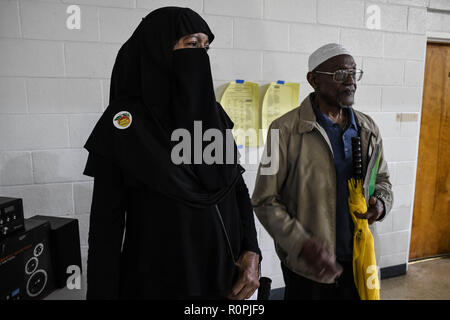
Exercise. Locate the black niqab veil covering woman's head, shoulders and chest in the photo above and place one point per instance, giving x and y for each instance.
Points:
(164, 90)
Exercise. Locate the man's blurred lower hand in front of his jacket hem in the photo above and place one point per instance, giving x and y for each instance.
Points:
(318, 258)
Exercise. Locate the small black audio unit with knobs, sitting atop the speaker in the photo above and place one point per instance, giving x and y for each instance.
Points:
(11, 216)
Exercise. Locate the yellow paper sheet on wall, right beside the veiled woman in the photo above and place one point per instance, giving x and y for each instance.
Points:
(241, 102)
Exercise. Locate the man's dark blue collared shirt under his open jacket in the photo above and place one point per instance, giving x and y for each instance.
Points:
(341, 142)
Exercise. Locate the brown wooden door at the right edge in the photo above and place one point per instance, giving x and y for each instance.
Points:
(431, 216)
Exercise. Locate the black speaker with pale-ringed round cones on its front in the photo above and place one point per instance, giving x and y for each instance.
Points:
(25, 264)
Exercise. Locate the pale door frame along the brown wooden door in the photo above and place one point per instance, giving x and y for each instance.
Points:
(432, 37)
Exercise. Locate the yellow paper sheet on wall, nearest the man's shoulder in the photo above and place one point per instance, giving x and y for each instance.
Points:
(280, 98)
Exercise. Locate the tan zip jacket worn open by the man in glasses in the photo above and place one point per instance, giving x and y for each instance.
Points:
(299, 201)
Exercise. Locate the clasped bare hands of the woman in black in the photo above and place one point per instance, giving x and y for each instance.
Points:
(248, 280)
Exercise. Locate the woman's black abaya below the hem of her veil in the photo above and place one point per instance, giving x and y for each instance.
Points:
(170, 250)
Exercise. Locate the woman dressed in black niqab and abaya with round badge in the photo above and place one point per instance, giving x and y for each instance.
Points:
(175, 244)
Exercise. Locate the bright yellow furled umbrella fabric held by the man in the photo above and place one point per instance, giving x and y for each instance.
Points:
(365, 271)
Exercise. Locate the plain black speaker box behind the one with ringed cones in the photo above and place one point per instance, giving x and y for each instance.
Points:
(64, 246)
